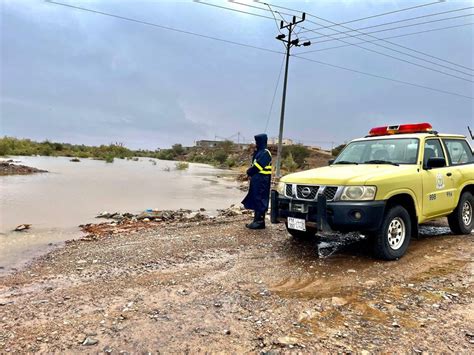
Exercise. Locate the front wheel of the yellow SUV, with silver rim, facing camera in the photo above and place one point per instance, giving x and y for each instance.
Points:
(391, 240)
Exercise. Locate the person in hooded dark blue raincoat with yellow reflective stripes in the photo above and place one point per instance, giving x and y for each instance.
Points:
(260, 174)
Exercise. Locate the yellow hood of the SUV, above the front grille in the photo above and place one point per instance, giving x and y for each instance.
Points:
(348, 174)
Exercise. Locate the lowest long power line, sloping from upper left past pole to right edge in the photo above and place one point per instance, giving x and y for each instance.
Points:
(259, 48)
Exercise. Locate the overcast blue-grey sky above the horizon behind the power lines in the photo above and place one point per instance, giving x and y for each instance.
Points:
(75, 76)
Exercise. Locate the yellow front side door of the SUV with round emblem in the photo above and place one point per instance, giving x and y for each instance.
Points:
(438, 185)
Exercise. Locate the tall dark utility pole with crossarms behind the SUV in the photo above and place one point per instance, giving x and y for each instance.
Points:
(289, 43)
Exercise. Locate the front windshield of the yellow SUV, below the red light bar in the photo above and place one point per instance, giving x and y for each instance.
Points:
(380, 151)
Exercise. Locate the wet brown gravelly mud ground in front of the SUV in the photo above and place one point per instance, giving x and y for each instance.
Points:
(215, 286)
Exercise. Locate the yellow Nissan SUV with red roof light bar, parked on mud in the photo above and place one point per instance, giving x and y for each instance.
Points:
(384, 186)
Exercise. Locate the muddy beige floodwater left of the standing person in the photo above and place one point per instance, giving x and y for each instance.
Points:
(71, 194)
